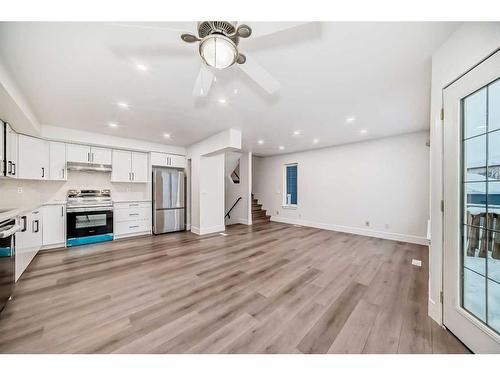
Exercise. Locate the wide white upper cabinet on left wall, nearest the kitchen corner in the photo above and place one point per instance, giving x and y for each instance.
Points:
(33, 158)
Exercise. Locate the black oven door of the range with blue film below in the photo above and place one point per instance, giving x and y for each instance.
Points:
(89, 225)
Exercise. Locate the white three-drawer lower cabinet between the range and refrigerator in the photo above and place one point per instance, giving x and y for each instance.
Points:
(131, 219)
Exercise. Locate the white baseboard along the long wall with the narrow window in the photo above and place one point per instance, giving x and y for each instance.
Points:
(360, 231)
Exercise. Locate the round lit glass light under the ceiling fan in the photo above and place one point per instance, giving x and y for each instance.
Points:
(218, 51)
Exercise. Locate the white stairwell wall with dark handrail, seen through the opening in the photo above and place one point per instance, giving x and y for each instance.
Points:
(241, 213)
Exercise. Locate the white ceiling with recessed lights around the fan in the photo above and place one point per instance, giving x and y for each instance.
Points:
(73, 75)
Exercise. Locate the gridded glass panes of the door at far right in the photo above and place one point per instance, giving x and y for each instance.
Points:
(480, 265)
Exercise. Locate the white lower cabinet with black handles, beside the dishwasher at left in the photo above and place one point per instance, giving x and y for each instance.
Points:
(28, 240)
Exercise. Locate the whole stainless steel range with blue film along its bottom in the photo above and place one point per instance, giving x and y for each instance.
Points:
(89, 217)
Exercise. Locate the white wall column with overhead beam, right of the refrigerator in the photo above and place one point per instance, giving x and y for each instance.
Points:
(207, 180)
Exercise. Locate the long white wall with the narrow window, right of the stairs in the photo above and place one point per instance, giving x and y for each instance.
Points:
(382, 181)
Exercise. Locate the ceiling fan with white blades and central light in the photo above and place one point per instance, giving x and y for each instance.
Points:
(219, 49)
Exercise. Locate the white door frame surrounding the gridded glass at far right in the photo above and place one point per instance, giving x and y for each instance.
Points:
(476, 335)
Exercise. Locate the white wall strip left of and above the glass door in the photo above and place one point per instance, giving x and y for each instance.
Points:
(466, 47)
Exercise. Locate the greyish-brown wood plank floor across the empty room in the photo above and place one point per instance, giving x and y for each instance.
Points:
(267, 288)
